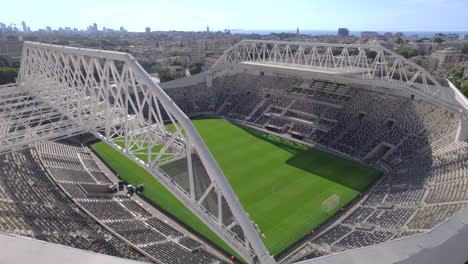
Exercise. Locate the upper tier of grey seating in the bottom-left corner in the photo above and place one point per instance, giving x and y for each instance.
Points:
(31, 205)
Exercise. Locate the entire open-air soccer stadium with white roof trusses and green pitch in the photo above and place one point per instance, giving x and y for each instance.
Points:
(282, 152)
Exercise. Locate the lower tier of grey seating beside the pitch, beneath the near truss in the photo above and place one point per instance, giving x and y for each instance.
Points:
(72, 166)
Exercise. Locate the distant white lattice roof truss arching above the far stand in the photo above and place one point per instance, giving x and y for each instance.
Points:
(370, 64)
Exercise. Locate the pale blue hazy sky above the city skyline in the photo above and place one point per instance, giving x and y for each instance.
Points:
(196, 15)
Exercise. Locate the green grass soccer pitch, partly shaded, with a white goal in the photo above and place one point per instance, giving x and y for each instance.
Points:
(280, 183)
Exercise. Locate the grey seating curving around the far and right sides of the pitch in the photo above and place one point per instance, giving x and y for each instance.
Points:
(426, 179)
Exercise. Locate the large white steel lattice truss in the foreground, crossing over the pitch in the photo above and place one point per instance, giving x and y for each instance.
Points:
(110, 95)
